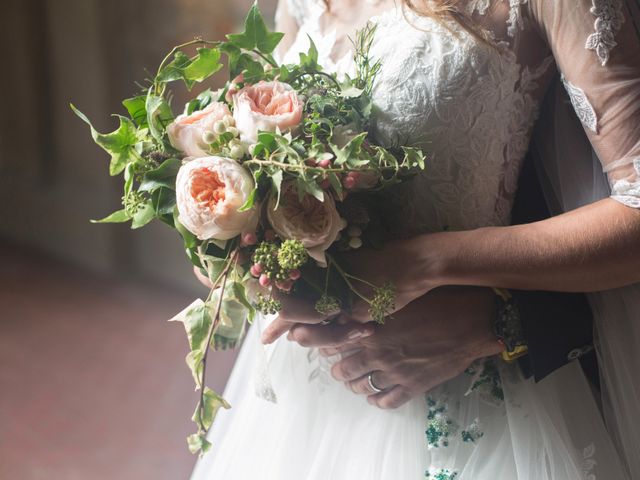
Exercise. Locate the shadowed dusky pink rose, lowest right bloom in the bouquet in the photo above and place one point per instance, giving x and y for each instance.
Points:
(316, 224)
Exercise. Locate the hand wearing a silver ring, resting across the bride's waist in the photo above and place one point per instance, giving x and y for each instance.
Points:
(430, 341)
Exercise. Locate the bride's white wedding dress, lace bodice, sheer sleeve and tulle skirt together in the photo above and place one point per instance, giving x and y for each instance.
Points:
(473, 107)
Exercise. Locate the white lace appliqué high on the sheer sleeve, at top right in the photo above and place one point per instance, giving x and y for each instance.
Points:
(609, 20)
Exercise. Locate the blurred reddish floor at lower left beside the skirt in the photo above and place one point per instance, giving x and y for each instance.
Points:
(92, 378)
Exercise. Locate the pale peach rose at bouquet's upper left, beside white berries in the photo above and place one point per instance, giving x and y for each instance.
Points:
(187, 131)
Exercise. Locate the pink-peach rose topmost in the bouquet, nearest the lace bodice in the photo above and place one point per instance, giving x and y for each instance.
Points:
(265, 107)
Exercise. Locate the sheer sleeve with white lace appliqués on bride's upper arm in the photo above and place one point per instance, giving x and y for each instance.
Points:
(596, 44)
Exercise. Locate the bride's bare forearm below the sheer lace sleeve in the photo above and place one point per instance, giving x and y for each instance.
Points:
(596, 247)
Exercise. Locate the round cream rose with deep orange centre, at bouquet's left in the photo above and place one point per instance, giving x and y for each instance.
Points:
(209, 193)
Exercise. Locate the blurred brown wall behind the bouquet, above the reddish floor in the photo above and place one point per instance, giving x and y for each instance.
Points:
(53, 179)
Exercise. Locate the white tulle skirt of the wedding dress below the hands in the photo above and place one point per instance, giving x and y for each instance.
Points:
(291, 421)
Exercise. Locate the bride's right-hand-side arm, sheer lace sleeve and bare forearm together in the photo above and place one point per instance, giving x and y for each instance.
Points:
(596, 247)
